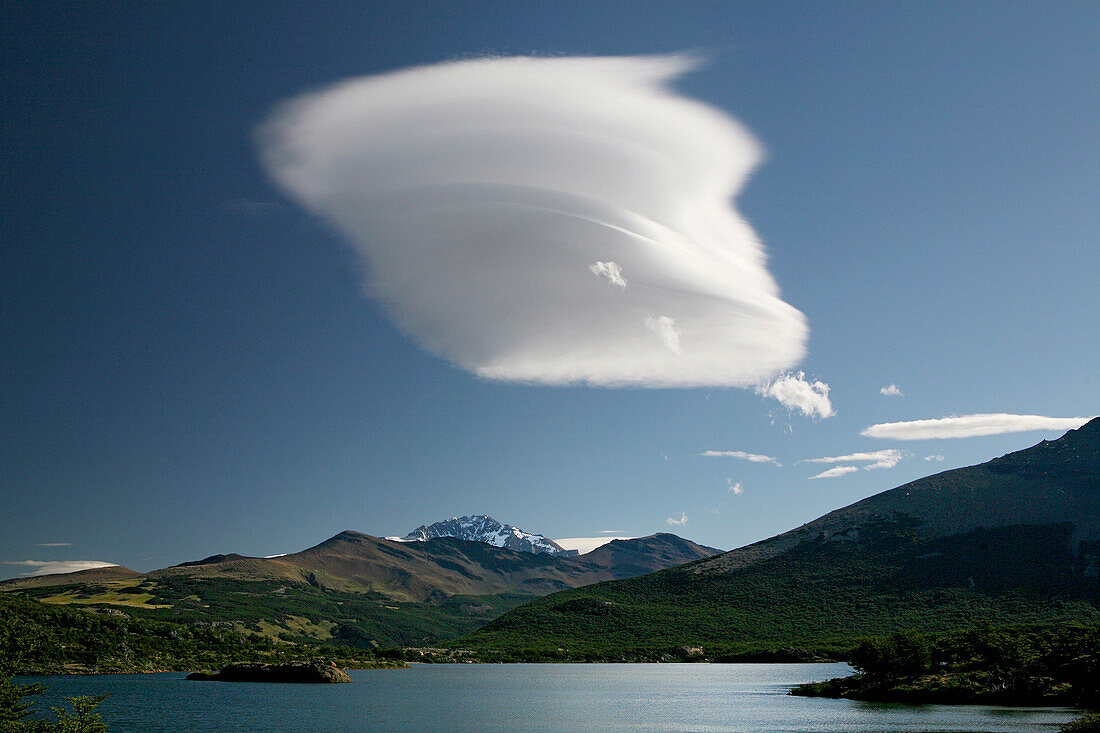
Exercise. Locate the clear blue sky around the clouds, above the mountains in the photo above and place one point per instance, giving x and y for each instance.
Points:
(191, 364)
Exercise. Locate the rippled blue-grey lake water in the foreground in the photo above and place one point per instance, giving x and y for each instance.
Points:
(527, 699)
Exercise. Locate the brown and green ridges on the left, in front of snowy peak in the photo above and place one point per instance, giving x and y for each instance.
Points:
(356, 588)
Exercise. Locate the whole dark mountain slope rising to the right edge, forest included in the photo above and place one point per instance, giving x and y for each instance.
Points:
(1013, 541)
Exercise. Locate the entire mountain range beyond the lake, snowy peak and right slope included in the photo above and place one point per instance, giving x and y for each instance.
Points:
(1014, 541)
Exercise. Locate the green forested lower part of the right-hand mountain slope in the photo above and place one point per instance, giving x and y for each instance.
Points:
(819, 597)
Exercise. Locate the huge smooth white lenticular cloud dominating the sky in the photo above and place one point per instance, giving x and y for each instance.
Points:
(485, 195)
